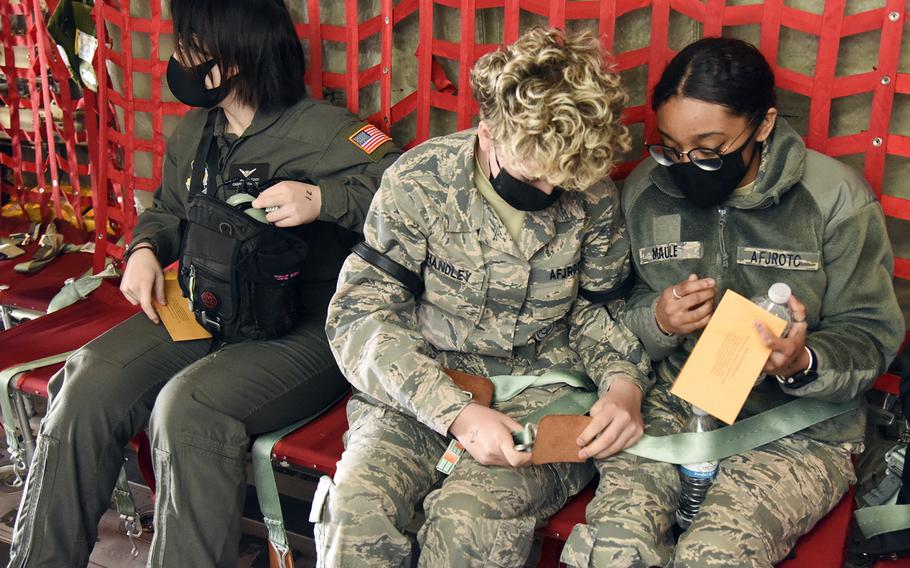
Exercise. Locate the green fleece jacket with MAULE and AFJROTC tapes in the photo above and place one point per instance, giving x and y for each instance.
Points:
(810, 222)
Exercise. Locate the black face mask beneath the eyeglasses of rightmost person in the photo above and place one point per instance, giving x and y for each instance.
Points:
(711, 188)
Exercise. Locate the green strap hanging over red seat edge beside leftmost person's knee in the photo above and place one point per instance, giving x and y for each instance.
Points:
(267, 488)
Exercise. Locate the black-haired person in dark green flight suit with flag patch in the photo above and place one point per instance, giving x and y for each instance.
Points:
(202, 401)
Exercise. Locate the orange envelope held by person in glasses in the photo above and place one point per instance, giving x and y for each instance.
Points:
(729, 356)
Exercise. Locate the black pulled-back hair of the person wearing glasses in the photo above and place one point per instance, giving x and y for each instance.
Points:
(724, 71)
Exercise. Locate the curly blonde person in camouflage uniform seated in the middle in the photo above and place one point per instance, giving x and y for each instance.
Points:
(495, 250)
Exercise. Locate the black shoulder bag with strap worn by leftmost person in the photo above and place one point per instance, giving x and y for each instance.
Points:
(242, 276)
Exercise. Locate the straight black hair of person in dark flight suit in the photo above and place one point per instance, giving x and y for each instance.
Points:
(255, 37)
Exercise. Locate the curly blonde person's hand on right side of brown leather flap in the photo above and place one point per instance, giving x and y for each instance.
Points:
(616, 423)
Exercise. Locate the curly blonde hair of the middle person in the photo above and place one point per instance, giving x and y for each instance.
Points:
(551, 102)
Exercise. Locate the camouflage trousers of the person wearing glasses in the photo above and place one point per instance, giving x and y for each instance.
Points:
(761, 502)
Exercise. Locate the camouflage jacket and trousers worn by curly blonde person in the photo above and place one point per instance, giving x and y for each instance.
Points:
(492, 306)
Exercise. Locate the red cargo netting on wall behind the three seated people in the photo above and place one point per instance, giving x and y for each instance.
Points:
(378, 82)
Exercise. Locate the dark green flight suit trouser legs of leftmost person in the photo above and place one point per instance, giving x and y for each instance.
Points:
(201, 409)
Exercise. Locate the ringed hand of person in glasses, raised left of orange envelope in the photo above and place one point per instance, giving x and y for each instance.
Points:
(685, 307)
